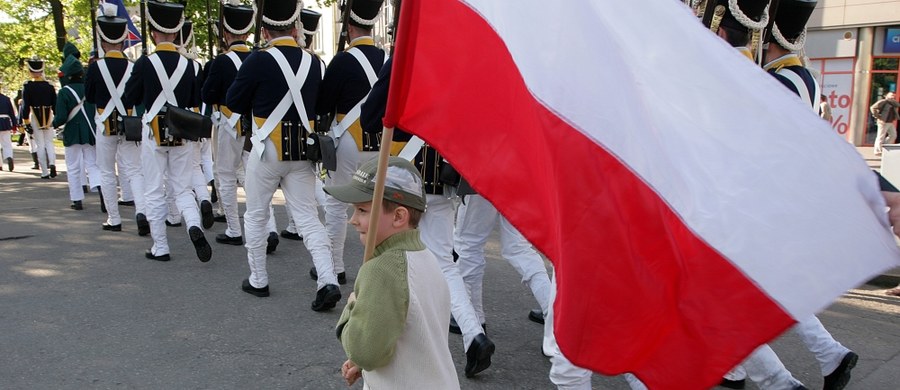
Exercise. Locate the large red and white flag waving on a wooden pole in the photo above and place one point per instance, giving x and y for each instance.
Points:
(692, 206)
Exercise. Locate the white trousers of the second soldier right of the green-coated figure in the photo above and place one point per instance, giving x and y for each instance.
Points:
(167, 168)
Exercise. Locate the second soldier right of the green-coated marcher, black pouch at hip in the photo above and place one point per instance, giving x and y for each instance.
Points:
(160, 78)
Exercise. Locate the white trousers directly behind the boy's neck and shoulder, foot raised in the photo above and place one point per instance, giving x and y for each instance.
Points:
(436, 231)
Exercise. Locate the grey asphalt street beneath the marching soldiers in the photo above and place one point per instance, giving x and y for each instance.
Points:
(82, 308)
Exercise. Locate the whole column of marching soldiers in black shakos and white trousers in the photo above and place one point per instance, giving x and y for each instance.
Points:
(275, 110)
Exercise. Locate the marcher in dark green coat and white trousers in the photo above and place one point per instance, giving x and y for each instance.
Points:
(72, 112)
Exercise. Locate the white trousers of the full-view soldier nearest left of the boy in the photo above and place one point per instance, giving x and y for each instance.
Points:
(297, 179)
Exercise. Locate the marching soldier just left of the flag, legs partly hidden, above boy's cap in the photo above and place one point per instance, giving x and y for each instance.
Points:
(348, 79)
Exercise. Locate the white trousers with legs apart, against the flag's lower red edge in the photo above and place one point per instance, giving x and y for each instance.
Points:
(475, 219)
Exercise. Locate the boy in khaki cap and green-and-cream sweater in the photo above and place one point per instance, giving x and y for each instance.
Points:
(394, 327)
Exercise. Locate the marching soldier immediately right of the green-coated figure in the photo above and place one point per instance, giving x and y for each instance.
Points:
(105, 85)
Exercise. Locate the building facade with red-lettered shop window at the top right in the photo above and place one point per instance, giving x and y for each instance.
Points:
(854, 46)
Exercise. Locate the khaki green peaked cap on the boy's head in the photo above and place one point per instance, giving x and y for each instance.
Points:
(402, 185)
